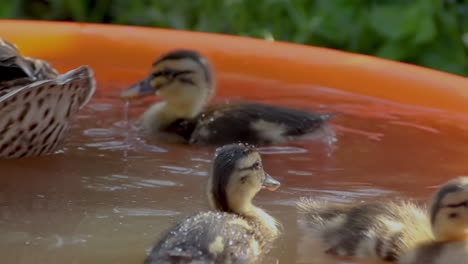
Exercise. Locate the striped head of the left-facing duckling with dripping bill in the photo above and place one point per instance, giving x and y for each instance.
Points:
(183, 78)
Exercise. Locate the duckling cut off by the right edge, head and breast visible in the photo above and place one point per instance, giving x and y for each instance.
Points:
(449, 222)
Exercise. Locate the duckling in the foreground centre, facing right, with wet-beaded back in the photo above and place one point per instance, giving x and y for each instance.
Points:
(236, 231)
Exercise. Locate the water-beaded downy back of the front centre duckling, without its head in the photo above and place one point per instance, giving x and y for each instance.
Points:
(212, 237)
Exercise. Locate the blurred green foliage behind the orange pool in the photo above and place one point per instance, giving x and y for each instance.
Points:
(433, 33)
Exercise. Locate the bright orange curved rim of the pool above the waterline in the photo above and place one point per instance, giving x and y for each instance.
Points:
(132, 47)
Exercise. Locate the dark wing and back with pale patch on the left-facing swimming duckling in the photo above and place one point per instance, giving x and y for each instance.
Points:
(254, 123)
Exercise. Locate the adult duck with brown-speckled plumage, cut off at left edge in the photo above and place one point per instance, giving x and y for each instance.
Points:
(36, 103)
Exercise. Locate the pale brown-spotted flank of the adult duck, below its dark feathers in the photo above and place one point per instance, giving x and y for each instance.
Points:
(34, 117)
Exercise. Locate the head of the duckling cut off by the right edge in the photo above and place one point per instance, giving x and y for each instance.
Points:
(449, 210)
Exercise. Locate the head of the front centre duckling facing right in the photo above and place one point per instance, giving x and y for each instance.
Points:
(237, 176)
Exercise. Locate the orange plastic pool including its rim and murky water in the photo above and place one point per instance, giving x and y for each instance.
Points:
(109, 194)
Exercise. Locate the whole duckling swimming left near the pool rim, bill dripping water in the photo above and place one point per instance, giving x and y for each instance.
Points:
(184, 79)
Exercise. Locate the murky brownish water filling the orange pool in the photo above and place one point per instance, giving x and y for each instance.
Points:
(110, 193)
